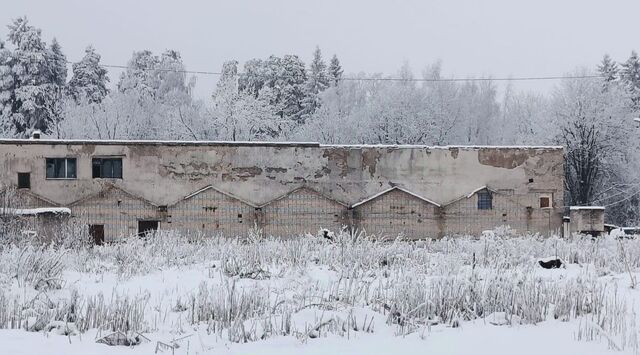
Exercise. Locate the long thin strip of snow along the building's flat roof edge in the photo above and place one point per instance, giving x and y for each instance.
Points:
(248, 143)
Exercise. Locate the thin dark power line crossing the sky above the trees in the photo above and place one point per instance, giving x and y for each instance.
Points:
(525, 78)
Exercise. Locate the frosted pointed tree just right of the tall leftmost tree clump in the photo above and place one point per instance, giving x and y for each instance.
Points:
(89, 79)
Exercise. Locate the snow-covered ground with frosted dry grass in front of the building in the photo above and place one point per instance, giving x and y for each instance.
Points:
(486, 295)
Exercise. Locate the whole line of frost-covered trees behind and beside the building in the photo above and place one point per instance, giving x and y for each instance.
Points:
(282, 98)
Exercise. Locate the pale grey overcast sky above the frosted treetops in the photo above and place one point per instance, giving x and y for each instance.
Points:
(472, 38)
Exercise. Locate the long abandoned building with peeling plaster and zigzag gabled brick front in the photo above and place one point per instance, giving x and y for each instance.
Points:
(122, 188)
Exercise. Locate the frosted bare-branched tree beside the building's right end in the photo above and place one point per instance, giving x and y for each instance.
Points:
(592, 126)
